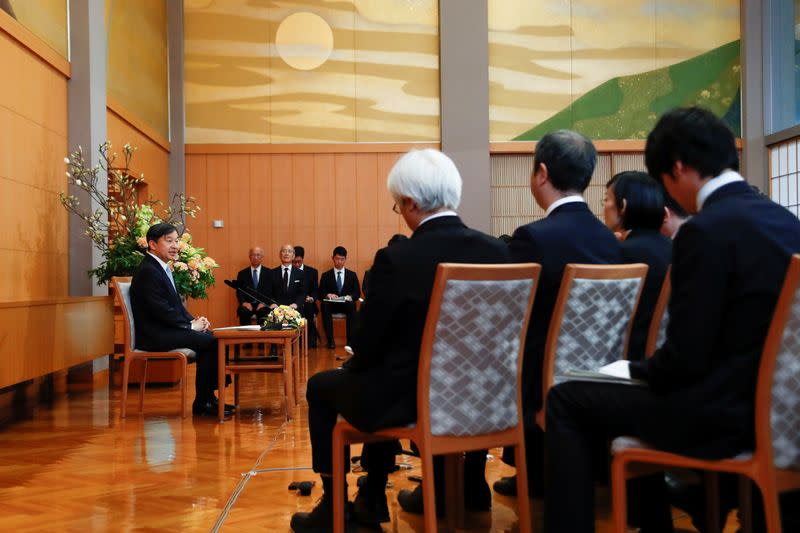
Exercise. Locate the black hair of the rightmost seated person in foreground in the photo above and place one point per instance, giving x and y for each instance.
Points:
(694, 136)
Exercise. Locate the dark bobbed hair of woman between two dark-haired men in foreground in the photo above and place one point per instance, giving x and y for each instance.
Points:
(644, 200)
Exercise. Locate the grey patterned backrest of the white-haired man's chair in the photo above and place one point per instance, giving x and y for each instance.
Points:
(470, 370)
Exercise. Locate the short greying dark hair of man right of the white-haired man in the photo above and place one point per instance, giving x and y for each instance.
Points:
(570, 159)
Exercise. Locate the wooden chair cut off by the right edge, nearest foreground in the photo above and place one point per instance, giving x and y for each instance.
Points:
(774, 465)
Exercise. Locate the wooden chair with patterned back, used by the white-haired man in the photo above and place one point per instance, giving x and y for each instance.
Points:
(475, 330)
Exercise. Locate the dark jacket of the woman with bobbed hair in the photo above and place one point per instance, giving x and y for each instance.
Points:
(655, 250)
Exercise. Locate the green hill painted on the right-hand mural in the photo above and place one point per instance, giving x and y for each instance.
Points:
(627, 107)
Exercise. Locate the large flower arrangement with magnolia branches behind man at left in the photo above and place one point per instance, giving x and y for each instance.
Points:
(119, 224)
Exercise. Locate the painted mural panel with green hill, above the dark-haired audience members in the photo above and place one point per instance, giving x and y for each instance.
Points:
(609, 68)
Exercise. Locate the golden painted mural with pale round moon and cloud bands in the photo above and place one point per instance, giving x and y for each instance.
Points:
(264, 71)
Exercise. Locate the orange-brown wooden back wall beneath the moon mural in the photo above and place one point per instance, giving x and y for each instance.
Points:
(319, 200)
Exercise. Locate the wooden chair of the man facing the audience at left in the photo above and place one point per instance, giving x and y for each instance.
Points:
(122, 287)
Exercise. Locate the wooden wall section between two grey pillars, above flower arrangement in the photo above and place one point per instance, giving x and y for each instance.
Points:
(151, 158)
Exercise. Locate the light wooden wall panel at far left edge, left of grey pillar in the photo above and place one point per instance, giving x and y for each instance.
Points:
(33, 143)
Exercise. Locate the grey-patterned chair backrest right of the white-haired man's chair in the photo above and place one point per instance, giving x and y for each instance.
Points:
(592, 319)
